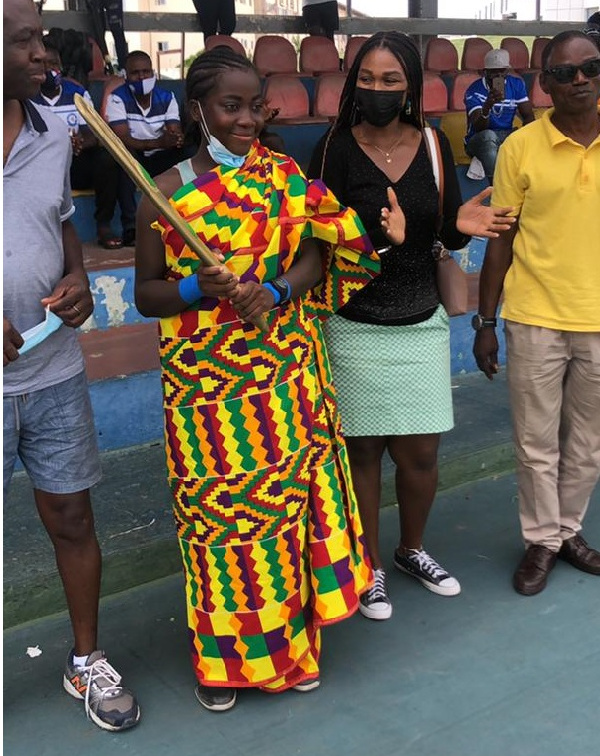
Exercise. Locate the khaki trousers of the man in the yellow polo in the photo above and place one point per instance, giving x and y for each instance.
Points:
(554, 383)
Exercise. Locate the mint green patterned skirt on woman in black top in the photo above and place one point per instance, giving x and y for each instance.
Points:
(391, 380)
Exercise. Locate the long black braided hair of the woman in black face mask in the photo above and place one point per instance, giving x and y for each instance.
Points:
(406, 53)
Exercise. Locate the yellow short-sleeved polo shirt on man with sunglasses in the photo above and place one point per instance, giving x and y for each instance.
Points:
(554, 185)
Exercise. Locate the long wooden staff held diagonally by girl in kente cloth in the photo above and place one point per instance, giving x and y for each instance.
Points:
(146, 184)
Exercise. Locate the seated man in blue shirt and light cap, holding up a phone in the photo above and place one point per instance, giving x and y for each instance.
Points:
(491, 104)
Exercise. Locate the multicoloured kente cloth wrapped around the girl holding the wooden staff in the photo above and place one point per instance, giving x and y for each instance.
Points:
(266, 517)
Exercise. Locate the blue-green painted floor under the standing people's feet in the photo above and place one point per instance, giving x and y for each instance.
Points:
(488, 673)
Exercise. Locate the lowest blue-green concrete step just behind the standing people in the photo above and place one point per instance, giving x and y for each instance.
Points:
(132, 505)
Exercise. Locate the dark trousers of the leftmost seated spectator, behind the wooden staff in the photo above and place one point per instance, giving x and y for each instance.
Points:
(95, 168)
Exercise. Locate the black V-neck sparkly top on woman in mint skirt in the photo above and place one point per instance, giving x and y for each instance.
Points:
(406, 290)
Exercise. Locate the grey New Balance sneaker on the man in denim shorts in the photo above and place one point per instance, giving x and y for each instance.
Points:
(98, 684)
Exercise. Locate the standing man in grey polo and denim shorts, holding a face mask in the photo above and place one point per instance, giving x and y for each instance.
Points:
(48, 421)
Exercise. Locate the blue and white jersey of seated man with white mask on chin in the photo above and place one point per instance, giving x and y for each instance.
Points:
(122, 107)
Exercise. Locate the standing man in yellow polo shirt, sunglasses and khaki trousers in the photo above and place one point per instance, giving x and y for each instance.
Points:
(548, 266)
